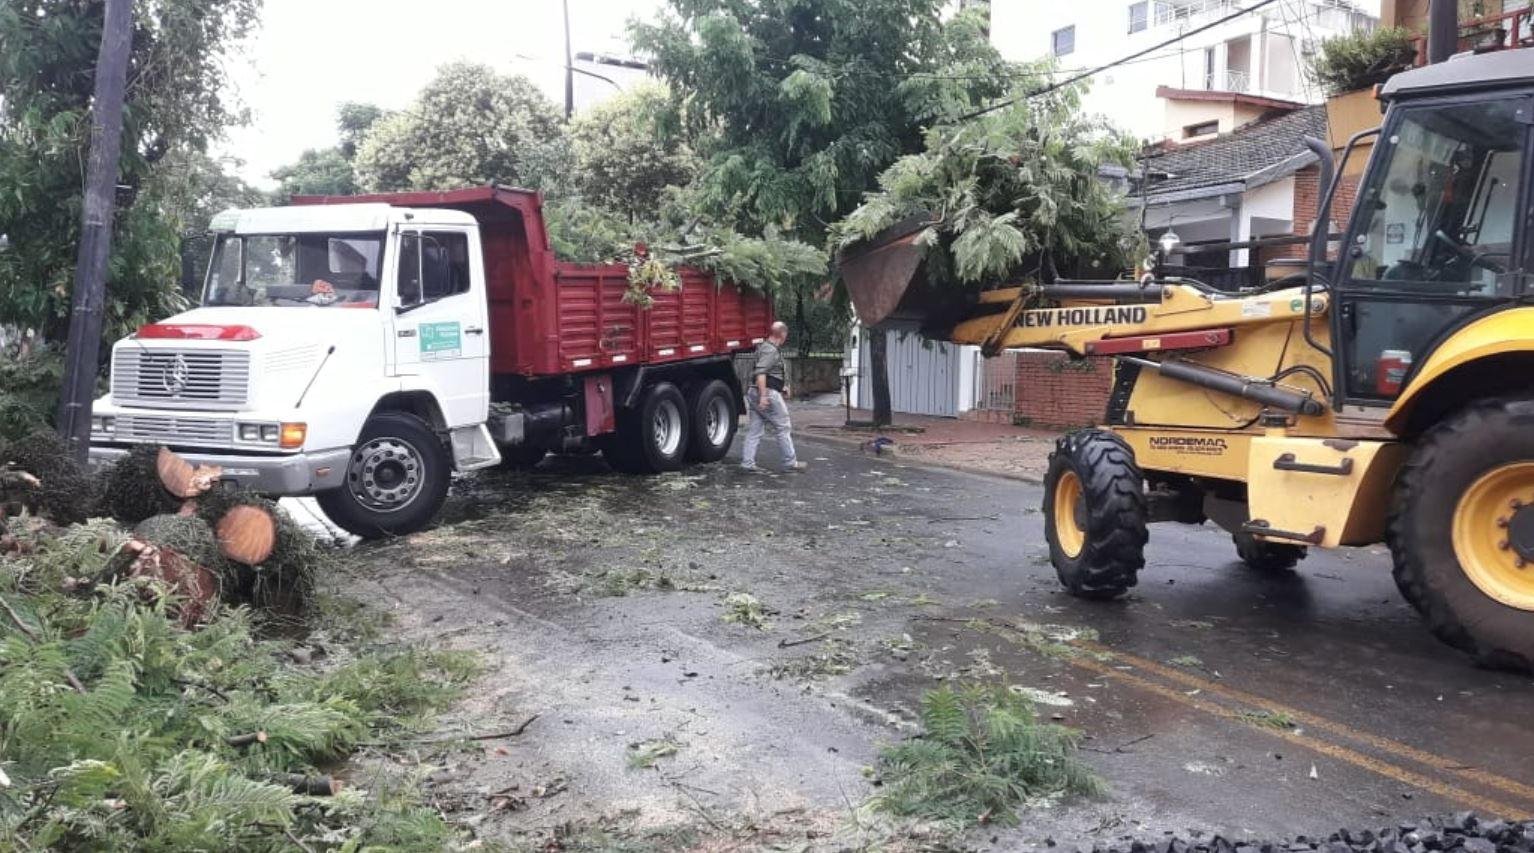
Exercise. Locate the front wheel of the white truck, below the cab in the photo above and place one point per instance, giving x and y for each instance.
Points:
(397, 479)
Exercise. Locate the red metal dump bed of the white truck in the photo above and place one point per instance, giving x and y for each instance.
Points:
(548, 317)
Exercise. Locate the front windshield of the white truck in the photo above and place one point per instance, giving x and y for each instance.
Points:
(303, 271)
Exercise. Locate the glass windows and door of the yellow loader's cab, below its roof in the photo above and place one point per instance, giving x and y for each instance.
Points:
(1434, 237)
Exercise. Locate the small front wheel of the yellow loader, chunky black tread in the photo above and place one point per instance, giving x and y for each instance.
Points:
(1098, 547)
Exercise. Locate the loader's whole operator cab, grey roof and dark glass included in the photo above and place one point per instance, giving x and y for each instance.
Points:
(1441, 223)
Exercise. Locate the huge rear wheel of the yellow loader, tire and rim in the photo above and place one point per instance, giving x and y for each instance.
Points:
(1463, 532)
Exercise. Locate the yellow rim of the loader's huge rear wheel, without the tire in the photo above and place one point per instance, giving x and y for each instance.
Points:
(1495, 535)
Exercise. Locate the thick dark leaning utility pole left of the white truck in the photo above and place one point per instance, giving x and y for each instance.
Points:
(96, 228)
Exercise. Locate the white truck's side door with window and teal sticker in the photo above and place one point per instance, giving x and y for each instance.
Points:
(439, 320)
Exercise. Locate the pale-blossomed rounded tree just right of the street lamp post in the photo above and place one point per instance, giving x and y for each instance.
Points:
(624, 160)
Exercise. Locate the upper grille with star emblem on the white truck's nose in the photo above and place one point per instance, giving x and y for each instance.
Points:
(180, 378)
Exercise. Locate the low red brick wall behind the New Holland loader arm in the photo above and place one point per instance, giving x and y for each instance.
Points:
(1059, 392)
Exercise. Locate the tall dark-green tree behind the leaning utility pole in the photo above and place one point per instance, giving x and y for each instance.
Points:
(176, 105)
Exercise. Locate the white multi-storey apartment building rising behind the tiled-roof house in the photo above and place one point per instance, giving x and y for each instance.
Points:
(1210, 84)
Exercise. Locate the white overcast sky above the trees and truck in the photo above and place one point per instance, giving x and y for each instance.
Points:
(311, 56)
